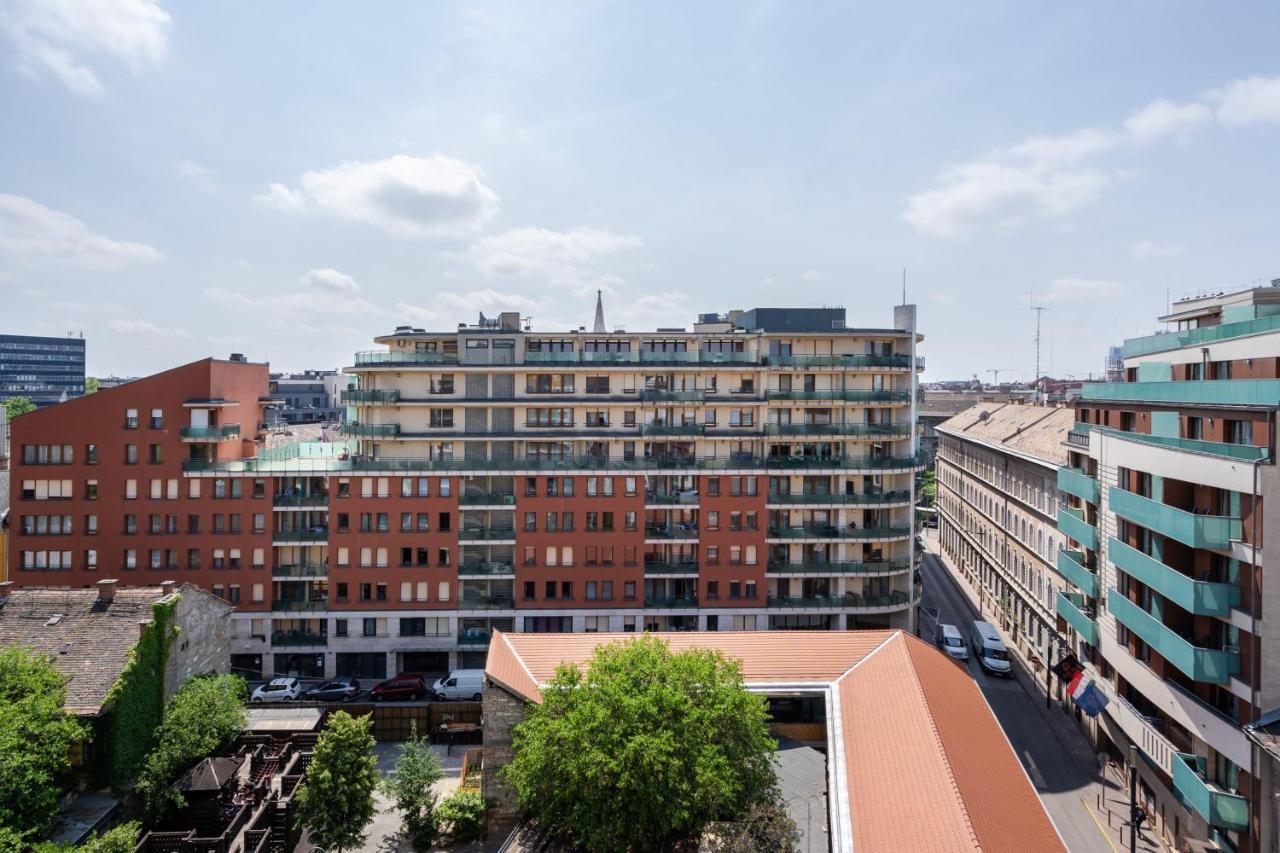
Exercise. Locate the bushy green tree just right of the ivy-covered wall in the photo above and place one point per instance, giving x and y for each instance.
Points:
(203, 718)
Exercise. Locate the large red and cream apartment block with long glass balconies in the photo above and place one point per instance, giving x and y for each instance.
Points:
(756, 473)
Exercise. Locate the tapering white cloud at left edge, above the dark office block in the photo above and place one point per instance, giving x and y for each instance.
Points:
(33, 234)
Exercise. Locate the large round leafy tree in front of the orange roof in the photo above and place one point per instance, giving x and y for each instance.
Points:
(643, 749)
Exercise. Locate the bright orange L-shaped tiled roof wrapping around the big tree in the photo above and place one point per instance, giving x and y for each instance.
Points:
(921, 760)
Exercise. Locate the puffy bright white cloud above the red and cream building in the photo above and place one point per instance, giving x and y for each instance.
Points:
(405, 197)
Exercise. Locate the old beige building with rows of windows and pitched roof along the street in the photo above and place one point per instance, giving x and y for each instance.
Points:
(998, 473)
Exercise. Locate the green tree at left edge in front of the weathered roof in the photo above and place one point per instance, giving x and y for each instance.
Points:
(36, 741)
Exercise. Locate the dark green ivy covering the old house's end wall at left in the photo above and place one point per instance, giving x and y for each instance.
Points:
(136, 703)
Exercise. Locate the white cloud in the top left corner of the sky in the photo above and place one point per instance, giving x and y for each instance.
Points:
(57, 38)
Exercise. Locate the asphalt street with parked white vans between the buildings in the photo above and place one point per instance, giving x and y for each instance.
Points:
(1058, 758)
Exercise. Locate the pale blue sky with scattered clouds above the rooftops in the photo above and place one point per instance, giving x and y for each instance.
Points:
(291, 180)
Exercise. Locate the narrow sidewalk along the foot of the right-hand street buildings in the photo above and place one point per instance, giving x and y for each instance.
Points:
(1105, 800)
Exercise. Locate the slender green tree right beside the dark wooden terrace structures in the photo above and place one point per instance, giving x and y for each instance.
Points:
(336, 802)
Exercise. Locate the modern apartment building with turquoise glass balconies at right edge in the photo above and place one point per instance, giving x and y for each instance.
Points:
(1172, 487)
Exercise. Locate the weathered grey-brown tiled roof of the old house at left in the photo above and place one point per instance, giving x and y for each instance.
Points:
(89, 642)
